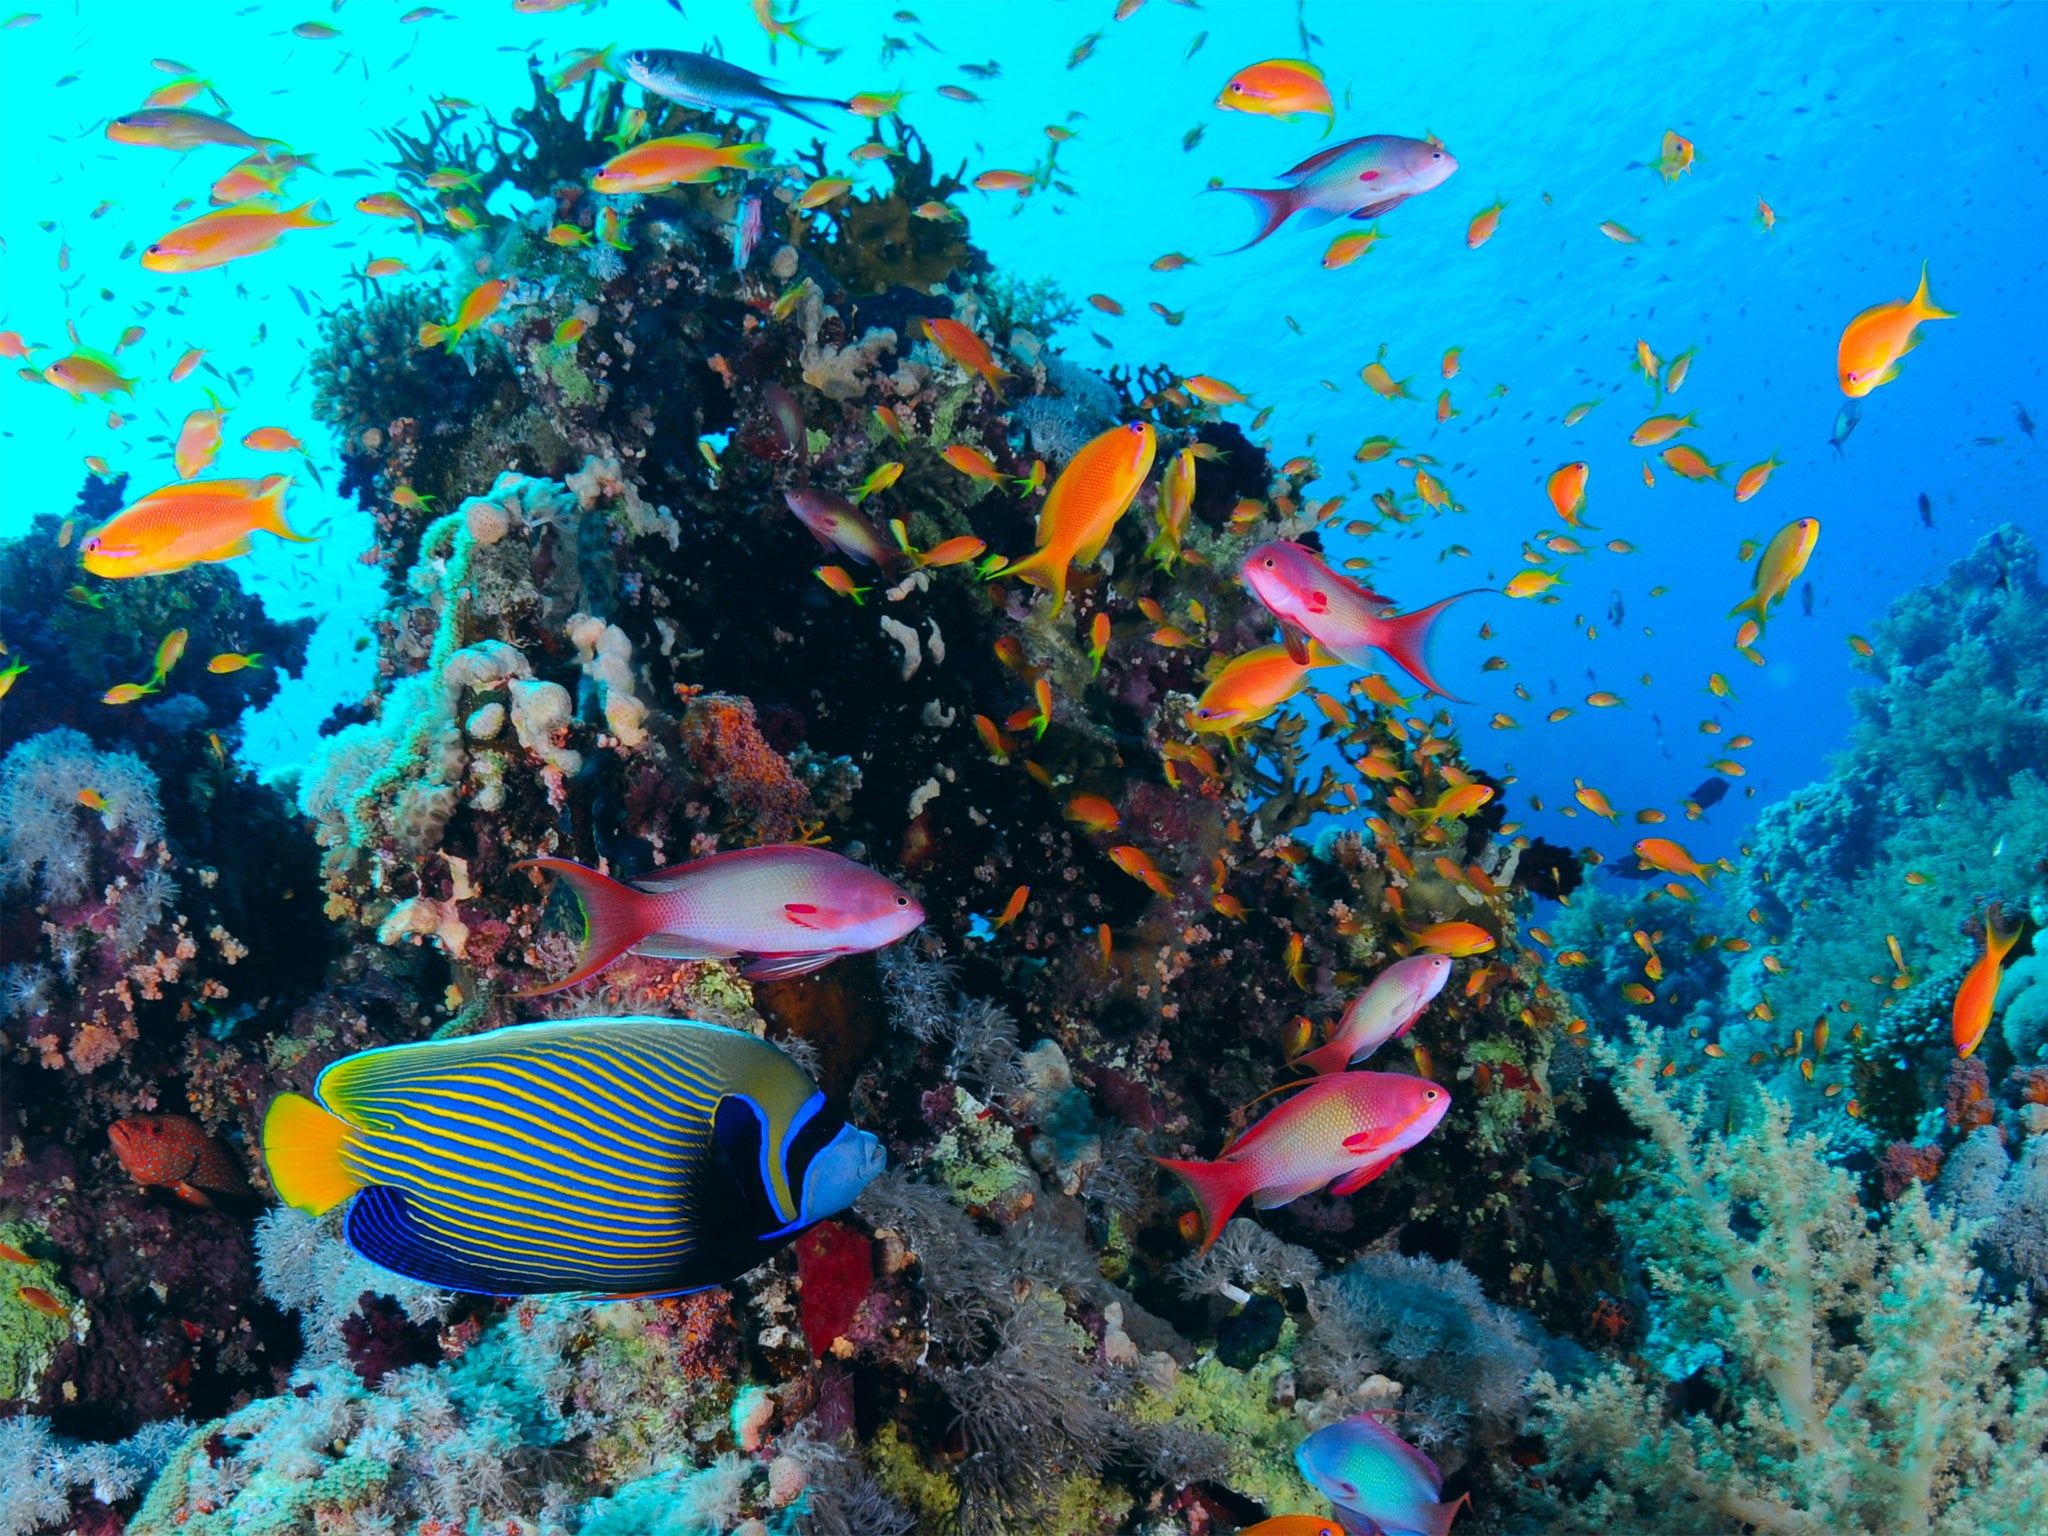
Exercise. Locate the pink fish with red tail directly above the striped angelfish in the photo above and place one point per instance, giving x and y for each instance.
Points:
(785, 908)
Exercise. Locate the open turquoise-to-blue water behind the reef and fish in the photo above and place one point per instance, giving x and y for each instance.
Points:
(1883, 136)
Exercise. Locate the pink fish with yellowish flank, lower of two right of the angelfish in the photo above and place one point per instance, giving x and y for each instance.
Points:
(1345, 1132)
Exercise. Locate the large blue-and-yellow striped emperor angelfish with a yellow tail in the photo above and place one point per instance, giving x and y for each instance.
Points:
(617, 1158)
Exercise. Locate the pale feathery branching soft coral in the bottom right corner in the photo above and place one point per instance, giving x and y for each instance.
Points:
(1863, 1383)
